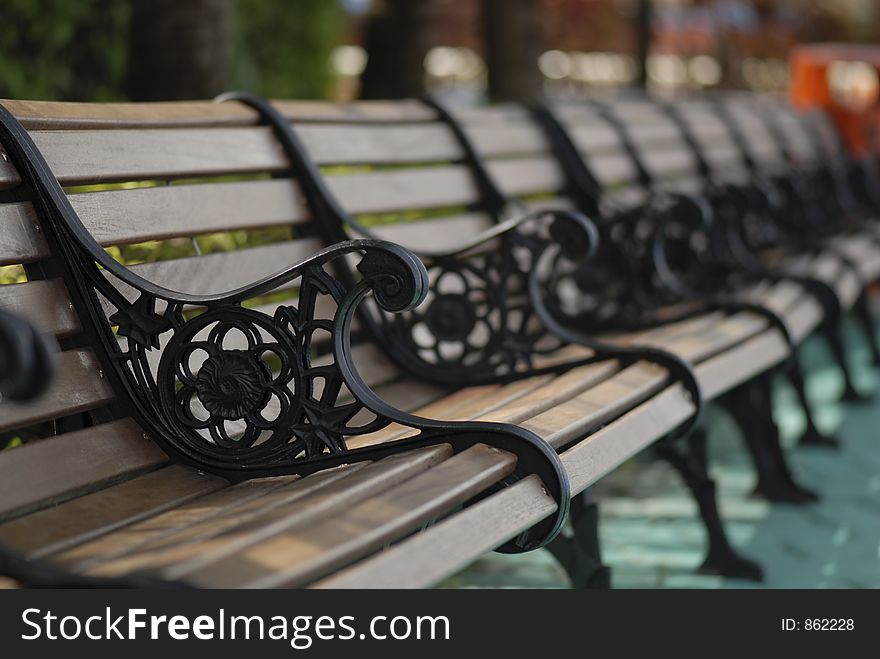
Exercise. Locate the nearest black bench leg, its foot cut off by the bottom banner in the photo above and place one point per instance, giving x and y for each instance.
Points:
(579, 554)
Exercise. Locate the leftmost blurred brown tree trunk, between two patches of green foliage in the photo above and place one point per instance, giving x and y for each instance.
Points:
(178, 49)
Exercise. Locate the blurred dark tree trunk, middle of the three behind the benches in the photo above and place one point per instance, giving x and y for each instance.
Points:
(398, 36)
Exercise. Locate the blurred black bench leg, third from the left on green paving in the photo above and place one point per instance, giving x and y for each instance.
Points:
(751, 407)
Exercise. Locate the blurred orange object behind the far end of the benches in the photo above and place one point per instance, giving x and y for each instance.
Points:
(842, 79)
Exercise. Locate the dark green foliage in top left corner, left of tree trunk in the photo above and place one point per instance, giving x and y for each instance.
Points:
(55, 49)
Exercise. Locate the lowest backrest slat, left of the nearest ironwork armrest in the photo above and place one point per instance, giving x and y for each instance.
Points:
(47, 471)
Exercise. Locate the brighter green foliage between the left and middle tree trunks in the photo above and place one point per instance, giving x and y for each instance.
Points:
(282, 48)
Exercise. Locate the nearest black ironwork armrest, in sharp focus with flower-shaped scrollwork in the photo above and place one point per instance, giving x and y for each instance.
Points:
(241, 393)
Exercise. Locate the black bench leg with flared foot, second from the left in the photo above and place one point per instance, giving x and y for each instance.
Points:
(688, 458)
